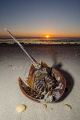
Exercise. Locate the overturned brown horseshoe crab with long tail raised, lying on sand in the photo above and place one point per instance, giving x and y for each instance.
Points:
(44, 84)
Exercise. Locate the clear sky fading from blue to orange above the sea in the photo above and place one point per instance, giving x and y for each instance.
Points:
(37, 18)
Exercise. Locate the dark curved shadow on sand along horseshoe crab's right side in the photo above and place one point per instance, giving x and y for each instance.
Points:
(69, 81)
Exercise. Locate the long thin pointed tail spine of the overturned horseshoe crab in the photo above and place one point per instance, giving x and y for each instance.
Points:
(33, 60)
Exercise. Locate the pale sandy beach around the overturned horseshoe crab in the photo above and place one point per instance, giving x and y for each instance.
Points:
(14, 64)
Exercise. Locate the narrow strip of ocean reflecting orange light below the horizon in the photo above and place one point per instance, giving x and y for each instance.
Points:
(41, 40)
